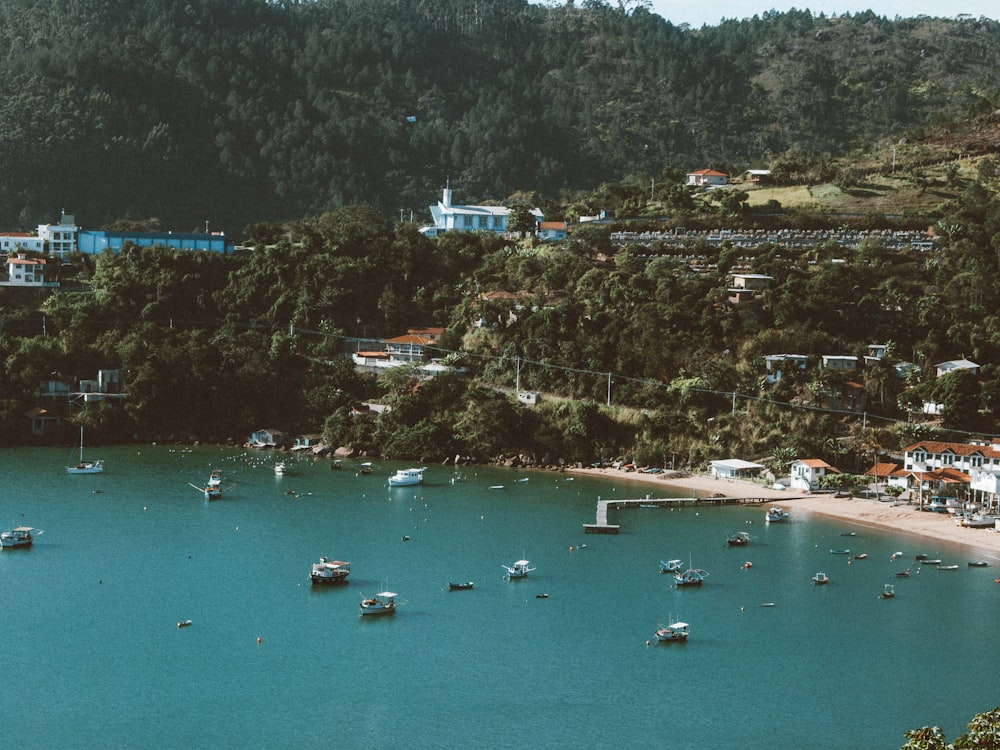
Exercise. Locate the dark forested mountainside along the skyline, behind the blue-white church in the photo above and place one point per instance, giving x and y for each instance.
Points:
(241, 111)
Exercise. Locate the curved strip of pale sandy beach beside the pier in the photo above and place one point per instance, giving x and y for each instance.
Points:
(897, 516)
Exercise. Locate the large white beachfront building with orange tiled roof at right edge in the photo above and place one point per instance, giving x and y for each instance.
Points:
(964, 470)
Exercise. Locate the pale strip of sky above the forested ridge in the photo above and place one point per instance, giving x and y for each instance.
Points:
(699, 13)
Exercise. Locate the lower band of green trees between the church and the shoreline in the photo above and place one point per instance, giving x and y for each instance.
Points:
(637, 349)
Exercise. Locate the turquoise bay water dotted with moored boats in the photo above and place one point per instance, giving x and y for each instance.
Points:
(95, 657)
